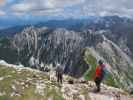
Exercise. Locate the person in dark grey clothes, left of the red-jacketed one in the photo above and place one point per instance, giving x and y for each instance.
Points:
(59, 74)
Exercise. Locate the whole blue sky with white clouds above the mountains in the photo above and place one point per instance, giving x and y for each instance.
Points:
(65, 8)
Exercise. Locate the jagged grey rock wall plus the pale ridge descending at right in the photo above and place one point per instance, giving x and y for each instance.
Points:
(40, 47)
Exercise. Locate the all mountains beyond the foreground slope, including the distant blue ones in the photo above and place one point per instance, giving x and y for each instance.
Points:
(76, 45)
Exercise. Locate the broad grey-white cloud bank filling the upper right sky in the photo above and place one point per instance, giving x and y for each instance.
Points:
(108, 7)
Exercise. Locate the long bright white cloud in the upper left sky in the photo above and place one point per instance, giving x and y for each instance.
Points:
(45, 7)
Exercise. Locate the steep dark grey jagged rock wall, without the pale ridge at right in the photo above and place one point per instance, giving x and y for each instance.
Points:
(43, 45)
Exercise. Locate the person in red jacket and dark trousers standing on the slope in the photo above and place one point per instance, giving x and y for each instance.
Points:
(99, 74)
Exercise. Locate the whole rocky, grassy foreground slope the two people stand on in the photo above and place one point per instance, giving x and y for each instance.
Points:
(18, 82)
